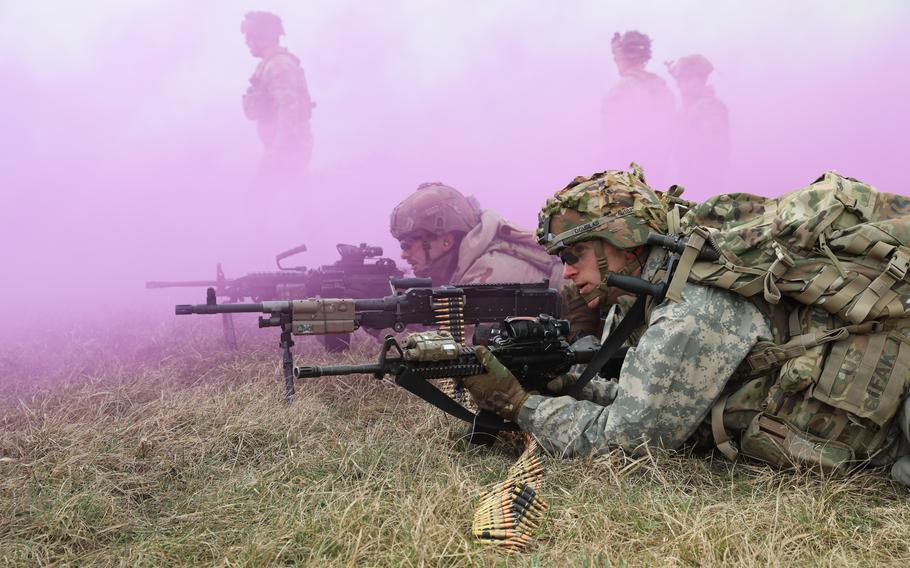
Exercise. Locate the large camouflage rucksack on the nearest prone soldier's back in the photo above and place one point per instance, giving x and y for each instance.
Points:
(833, 260)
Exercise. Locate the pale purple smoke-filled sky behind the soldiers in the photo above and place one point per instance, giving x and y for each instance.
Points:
(125, 155)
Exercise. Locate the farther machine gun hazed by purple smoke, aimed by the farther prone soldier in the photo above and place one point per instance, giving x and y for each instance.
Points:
(350, 277)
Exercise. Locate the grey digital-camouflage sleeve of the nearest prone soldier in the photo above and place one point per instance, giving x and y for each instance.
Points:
(668, 382)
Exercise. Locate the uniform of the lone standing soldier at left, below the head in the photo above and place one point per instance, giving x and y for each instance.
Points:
(279, 101)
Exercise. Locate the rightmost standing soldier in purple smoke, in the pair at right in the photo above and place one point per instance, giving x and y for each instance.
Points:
(702, 150)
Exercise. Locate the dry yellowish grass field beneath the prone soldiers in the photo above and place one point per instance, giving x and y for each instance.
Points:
(151, 445)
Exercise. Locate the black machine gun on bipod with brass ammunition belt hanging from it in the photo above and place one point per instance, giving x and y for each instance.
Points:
(448, 307)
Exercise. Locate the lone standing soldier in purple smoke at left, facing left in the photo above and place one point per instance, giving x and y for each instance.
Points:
(278, 100)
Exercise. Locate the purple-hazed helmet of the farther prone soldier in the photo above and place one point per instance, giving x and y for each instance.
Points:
(435, 208)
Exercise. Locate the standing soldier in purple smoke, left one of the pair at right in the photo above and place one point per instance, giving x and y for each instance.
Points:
(638, 111)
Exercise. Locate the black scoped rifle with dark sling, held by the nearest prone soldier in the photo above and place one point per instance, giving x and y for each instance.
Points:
(534, 349)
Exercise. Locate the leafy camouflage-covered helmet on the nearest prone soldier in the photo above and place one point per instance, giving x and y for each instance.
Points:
(616, 206)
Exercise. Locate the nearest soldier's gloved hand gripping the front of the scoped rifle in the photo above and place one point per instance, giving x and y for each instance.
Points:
(497, 390)
